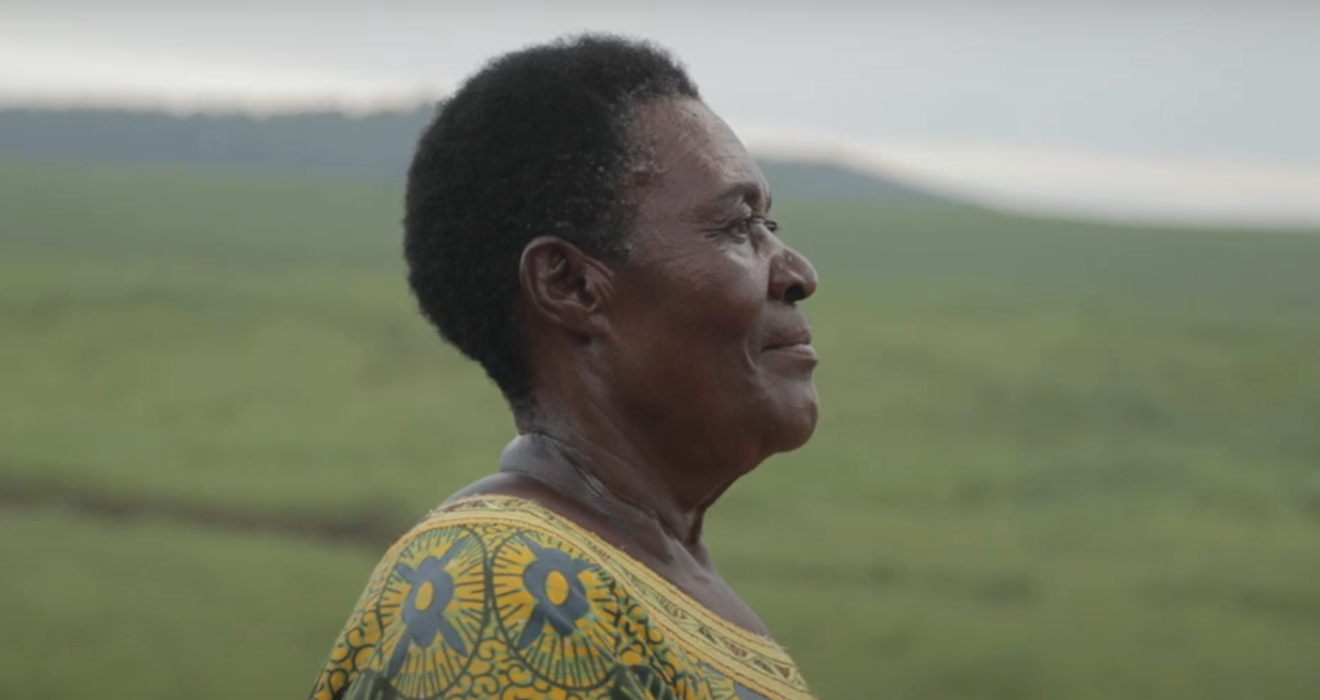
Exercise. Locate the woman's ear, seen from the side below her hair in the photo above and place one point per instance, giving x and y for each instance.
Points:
(566, 286)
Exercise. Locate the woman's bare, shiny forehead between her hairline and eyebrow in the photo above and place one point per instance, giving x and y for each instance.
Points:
(699, 158)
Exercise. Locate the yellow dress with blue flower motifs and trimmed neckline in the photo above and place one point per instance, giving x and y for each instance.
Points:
(496, 598)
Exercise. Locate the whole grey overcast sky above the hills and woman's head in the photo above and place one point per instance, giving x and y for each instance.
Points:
(1141, 109)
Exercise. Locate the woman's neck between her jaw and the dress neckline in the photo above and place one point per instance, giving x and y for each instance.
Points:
(591, 459)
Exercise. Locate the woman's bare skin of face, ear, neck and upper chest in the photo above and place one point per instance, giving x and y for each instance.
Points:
(662, 380)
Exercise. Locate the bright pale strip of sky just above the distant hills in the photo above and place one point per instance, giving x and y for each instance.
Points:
(1041, 182)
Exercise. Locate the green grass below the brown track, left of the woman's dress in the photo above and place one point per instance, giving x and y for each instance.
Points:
(145, 610)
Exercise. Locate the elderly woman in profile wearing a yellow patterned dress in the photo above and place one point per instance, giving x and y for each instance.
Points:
(588, 230)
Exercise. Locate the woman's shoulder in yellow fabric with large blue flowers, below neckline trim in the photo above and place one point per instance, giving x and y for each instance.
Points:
(482, 599)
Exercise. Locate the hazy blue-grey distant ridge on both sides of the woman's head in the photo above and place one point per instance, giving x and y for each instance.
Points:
(331, 146)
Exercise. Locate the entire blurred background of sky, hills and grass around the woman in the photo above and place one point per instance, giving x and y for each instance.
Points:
(1070, 322)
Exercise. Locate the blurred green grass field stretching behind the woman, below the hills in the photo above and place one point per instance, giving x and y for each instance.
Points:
(1057, 462)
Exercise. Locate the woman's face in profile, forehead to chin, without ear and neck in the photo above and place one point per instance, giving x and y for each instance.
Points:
(708, 336)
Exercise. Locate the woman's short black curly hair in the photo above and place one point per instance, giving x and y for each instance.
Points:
(538, 142)
